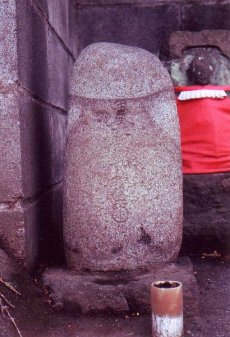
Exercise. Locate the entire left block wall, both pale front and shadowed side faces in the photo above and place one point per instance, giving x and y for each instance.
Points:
(38, 51)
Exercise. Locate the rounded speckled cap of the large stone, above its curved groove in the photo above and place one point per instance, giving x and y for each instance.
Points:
(114, 71)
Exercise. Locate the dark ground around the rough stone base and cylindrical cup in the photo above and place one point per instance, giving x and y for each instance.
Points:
(35, 316)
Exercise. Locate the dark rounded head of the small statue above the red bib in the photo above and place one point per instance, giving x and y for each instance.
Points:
(201, 69)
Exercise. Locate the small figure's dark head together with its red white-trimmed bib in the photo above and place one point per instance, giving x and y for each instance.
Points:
(204, 112)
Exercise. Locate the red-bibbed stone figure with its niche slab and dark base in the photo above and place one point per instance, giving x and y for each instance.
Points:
(200, 69)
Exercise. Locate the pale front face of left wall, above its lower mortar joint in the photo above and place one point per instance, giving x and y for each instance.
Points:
(10, 185)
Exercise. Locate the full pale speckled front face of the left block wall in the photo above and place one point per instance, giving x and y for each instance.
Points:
(12, 230)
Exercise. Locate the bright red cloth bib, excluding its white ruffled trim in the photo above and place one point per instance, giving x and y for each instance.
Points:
(205, 131)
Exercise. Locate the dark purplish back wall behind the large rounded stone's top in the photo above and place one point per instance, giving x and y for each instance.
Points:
(147, 23)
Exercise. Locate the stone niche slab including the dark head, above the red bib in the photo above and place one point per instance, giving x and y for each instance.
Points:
(207, 51)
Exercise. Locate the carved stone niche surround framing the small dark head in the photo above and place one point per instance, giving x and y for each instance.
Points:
(184, 46)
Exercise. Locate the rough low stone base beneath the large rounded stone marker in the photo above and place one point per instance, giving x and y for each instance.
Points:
(118, 292)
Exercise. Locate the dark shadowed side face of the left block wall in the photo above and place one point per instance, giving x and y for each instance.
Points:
(47, 47)
